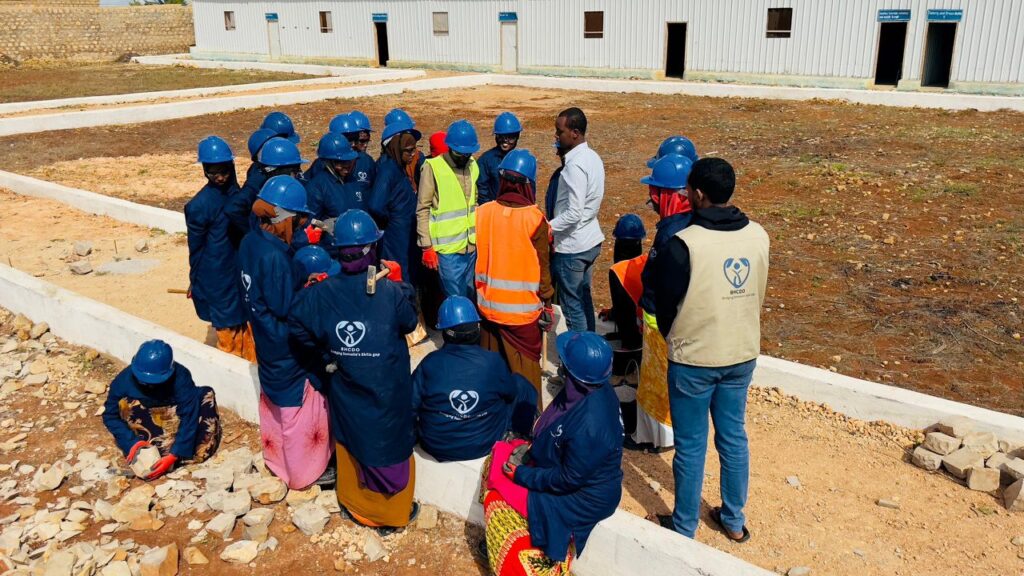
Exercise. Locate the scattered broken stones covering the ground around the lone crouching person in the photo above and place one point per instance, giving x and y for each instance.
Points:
(84, 513)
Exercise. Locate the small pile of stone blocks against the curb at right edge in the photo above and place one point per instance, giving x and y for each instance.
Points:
(984, 462)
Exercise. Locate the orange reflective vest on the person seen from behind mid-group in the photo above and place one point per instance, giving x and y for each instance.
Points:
(508, 272)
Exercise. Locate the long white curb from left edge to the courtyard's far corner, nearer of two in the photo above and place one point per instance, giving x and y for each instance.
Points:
(170, 111)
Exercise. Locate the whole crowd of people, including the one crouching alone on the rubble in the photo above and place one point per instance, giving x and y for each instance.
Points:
(322, 277)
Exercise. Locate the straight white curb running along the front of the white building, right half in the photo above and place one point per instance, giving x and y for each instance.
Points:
(878, 98)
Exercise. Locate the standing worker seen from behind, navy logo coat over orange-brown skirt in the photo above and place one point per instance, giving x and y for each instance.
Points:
(357, 325)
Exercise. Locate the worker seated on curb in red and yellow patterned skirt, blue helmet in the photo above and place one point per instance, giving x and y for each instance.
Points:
(569, 479)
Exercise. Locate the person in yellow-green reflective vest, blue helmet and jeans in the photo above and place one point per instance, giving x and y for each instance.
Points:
(446, 215)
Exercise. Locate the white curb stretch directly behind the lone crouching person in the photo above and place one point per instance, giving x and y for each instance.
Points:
(84, 321)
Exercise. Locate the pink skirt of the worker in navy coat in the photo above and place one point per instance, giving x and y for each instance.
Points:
(296, 441)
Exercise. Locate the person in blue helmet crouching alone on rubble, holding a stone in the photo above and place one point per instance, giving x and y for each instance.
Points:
(155, 402)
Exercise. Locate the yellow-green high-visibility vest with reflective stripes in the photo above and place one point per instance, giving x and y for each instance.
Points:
(453, 222)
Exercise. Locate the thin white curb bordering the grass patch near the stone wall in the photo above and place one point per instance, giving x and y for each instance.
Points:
(13, 108)
